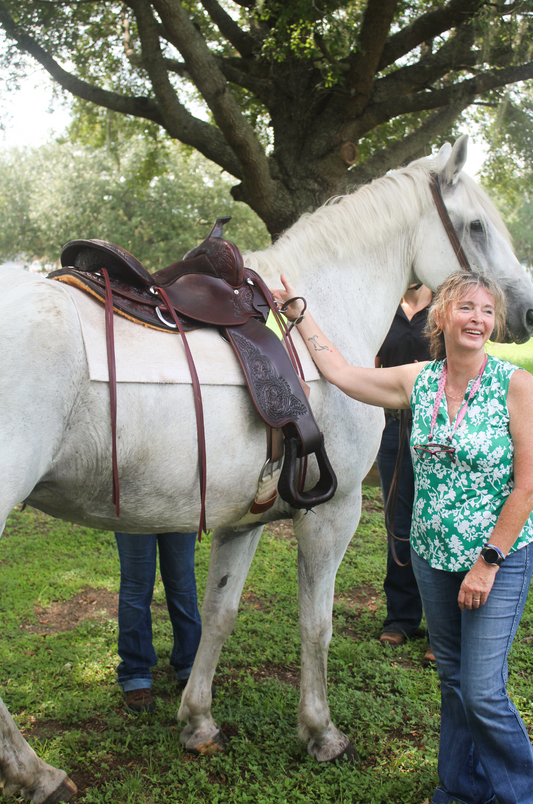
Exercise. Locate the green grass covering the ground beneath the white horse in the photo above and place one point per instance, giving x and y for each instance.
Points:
(61, 688)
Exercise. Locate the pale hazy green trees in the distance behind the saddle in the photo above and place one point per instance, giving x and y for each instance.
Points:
(155, 200)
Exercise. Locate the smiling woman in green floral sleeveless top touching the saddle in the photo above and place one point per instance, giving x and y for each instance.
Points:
(472, 438)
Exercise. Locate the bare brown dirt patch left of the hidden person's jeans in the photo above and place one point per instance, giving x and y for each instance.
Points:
(66, 615)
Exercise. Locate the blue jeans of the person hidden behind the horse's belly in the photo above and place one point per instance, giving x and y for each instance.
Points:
(138, 553)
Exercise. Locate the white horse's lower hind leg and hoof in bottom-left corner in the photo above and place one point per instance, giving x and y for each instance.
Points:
(21, 770)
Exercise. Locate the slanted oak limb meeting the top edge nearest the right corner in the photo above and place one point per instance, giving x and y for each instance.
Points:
(427, 26)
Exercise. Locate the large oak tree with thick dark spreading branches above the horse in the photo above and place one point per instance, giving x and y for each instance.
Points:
(297, 100)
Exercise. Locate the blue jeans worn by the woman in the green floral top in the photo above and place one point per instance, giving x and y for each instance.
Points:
(485, 754)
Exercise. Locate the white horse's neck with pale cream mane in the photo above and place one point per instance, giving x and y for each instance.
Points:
(353, 259)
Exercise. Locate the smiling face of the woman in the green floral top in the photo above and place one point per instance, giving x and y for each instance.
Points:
(469, 321)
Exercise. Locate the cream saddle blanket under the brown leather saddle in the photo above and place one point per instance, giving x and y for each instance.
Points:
(147, 355)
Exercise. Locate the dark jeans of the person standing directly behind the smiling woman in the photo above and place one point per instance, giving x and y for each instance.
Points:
(404, 607)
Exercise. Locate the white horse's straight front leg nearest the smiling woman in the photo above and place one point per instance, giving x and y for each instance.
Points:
(320, 551)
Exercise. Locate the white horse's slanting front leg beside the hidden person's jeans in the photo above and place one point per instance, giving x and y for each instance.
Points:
(231, 555)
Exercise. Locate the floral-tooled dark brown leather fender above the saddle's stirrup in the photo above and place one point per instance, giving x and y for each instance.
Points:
(273, 393)
